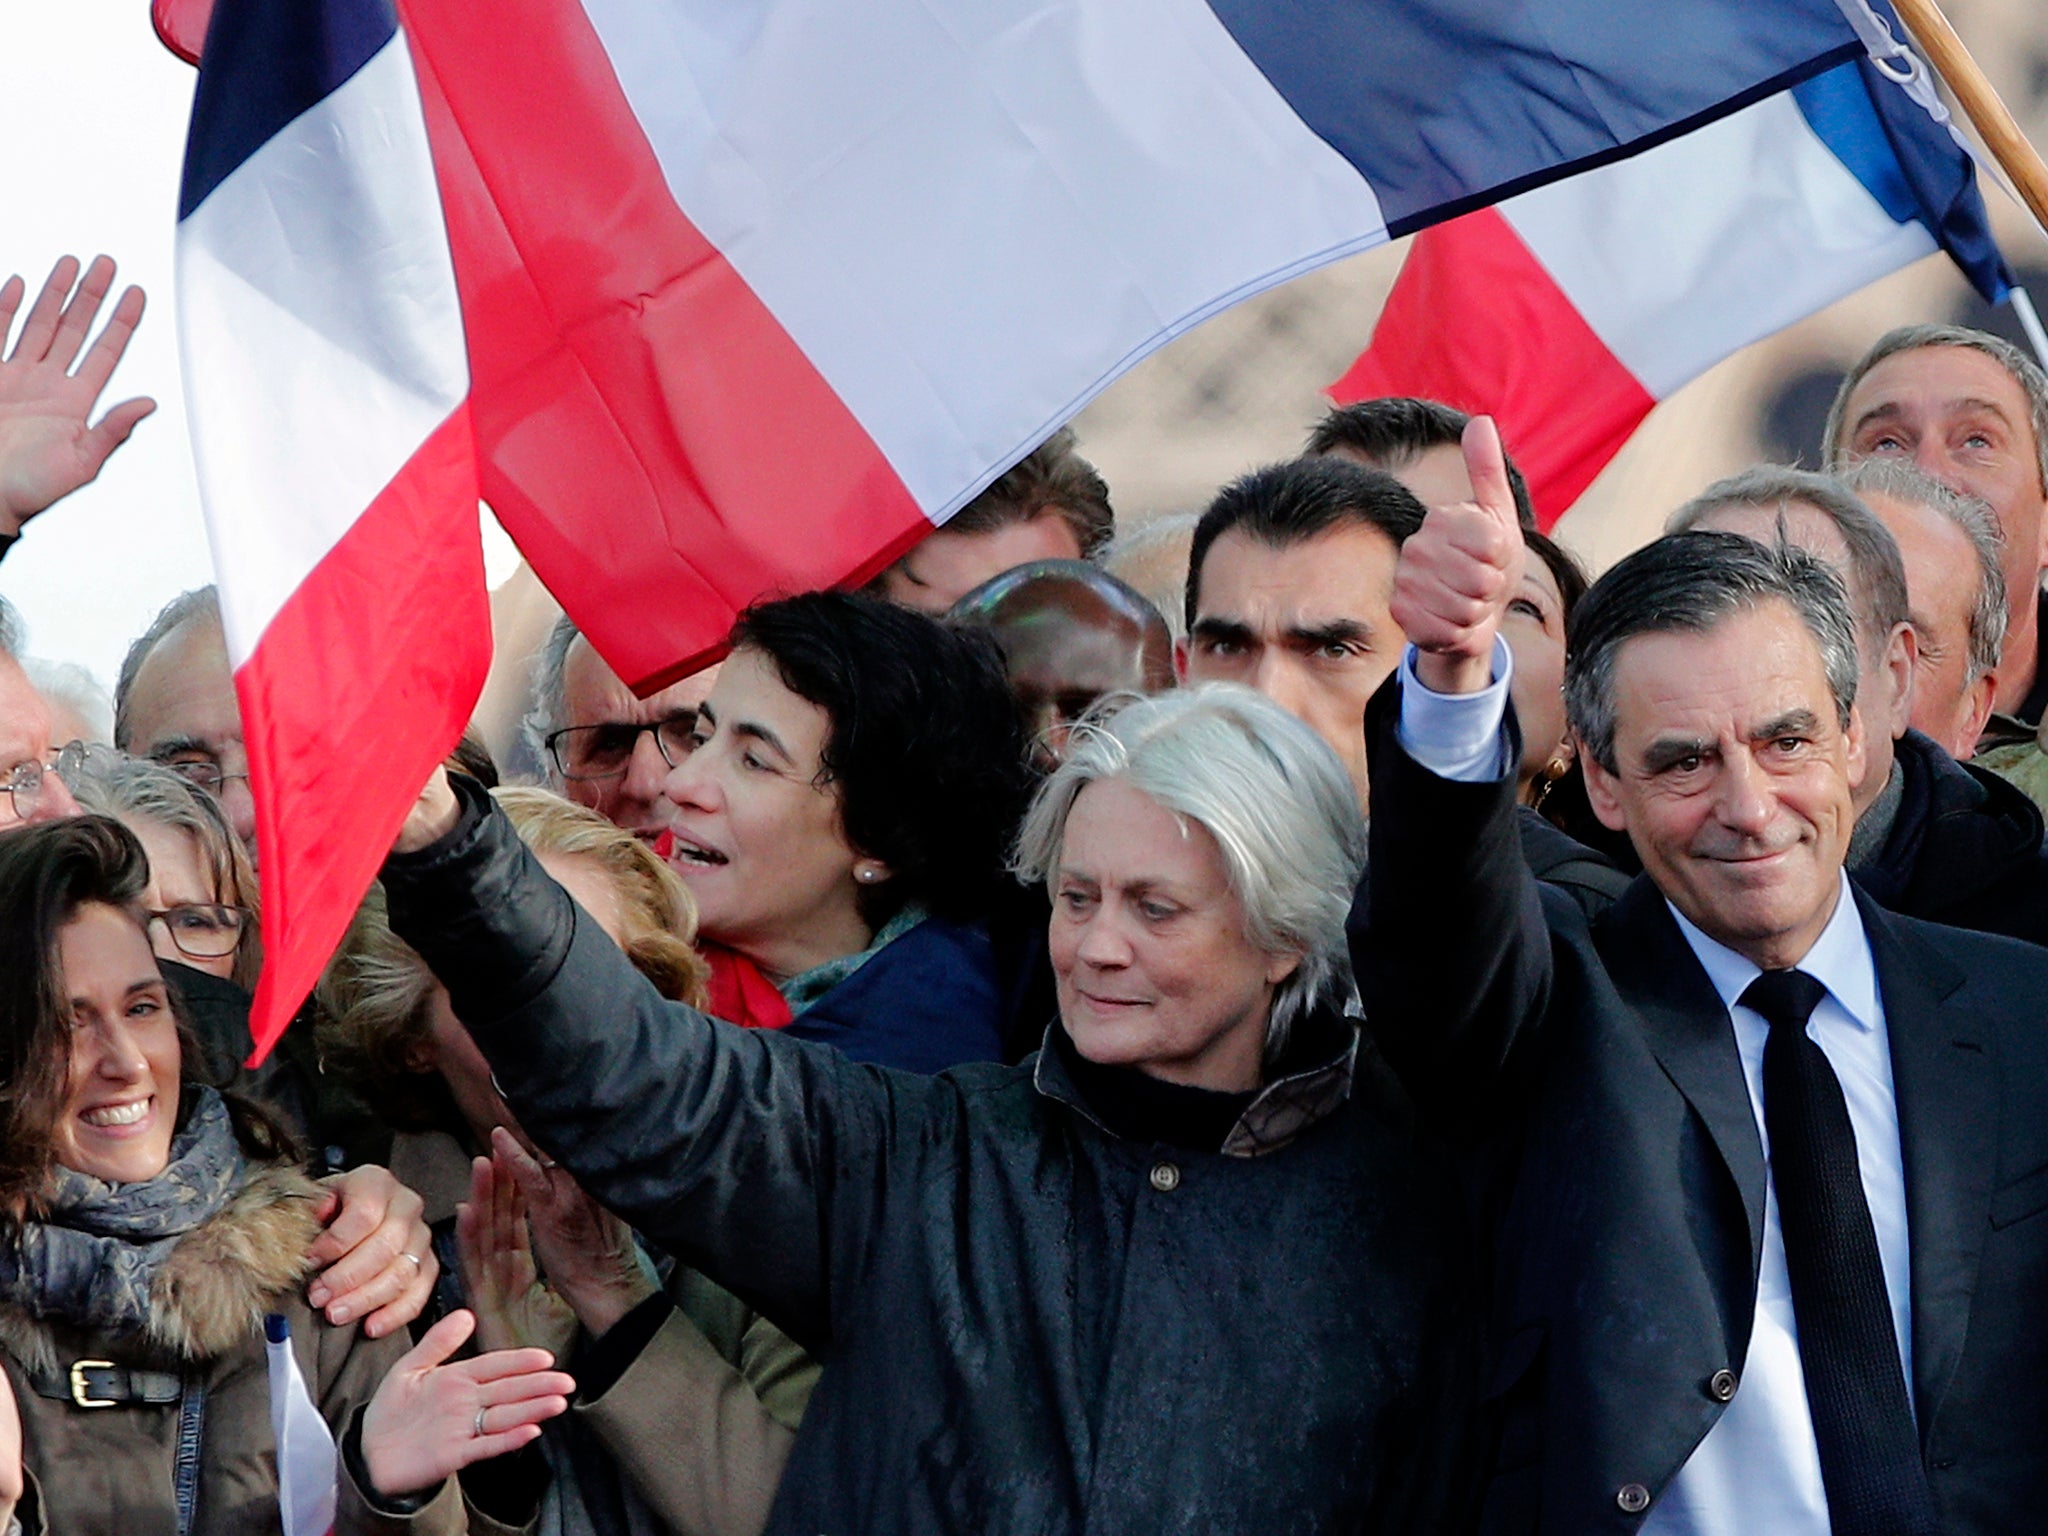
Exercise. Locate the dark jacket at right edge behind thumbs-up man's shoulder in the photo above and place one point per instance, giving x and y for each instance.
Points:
(1965, 849)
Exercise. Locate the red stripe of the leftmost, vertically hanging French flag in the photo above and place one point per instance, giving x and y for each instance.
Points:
(357, 689)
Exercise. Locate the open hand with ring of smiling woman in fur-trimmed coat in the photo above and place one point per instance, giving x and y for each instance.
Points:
(431, 1418)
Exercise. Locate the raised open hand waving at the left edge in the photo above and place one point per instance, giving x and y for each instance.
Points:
(46, 443)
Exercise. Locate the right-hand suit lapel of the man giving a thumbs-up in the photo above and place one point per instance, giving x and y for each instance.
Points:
(1949, 1132)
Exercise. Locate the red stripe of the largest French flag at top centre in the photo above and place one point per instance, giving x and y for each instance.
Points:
(646, 427)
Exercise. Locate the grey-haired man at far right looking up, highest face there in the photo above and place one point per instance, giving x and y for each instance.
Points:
(1971, 411)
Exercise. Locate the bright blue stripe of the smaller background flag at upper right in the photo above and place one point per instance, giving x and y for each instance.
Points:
(1910, 165)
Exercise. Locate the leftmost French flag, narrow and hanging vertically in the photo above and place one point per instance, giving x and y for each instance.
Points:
(327, 382)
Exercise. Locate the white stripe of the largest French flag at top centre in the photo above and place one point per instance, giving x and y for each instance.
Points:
(1140, 169)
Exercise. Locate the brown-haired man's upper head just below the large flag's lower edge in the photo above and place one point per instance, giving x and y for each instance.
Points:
(1052, 505)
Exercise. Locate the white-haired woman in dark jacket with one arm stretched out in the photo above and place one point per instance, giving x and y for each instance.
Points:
(1183, 1271)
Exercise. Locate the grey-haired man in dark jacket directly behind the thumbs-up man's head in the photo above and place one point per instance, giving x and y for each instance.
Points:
(1934, 839)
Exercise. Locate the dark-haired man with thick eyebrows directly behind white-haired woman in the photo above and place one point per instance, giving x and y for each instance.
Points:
(1289, 585)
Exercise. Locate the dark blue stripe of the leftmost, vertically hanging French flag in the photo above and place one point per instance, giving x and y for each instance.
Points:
(265, 67)
